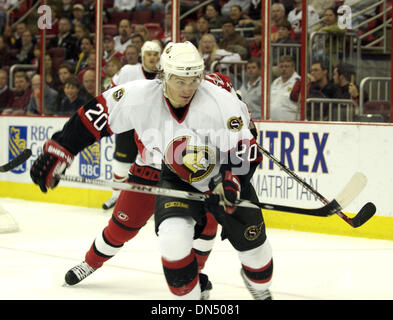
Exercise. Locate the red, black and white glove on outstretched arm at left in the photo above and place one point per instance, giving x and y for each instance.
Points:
(52, 161)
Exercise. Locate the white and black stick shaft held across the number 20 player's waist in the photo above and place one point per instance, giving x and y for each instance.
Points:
(325, 211)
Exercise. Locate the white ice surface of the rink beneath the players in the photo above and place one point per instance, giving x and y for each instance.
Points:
(53, 238)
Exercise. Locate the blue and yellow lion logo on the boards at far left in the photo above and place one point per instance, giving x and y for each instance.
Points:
(17, 142)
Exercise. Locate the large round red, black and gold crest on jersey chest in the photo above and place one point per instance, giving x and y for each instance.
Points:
(190, 163)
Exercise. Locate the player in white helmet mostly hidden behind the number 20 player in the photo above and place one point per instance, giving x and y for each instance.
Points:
(125, 147)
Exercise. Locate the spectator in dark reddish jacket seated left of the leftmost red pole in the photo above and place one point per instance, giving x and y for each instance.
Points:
(21, 95)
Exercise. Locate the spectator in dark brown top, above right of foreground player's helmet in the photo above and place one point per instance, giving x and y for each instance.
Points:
(232, 41)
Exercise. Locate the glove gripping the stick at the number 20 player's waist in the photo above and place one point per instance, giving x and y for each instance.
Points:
(227, 187)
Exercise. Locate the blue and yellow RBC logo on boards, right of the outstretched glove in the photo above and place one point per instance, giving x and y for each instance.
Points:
(89, 161)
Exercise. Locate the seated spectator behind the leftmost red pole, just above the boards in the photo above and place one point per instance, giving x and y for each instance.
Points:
(50, 98)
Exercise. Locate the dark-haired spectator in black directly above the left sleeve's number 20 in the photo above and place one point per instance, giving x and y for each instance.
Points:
(73, 98)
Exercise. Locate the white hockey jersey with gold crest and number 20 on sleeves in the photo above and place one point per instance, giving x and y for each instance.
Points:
(214, 125)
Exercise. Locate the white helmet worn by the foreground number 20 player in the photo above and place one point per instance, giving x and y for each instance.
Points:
(181, 59)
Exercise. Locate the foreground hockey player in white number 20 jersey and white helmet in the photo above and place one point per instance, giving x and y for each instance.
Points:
(201, 136)
